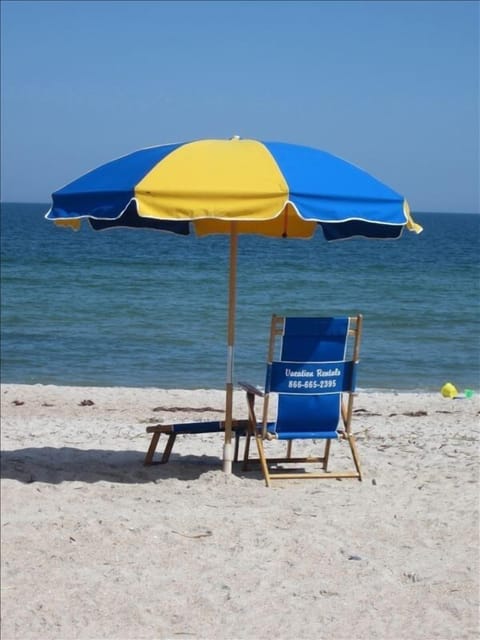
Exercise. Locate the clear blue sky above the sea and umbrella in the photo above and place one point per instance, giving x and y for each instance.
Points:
(390, 86)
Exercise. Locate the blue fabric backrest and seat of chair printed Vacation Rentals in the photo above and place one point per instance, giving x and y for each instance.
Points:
(315, 368)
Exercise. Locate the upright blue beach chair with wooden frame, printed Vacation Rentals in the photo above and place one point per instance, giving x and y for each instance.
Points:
(314, 382)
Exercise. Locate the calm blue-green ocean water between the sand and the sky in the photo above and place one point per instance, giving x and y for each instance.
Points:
(142, 308)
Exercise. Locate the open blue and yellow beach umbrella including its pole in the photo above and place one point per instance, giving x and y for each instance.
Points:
(234, 186)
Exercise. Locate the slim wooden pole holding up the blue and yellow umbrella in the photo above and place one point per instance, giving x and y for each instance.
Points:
(232, 286)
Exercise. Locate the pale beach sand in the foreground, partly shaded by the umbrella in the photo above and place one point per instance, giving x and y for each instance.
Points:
(96, 545)
